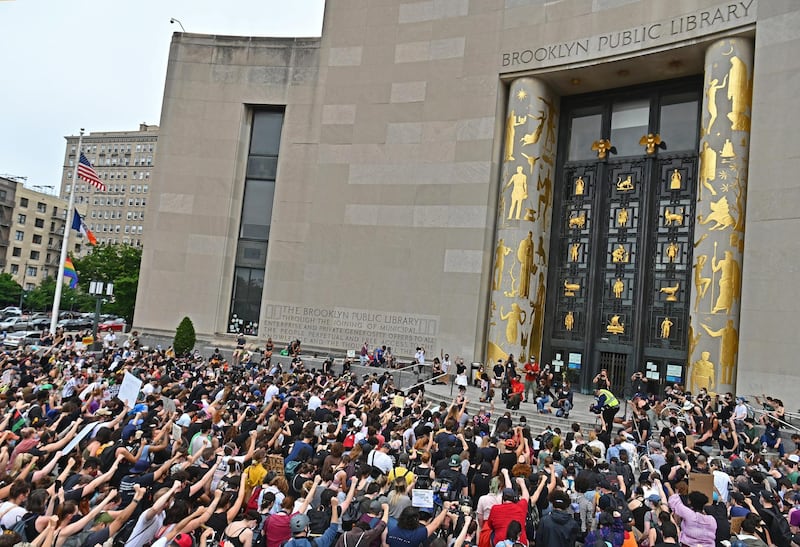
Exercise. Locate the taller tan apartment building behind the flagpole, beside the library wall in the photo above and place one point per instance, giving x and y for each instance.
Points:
(124, 161)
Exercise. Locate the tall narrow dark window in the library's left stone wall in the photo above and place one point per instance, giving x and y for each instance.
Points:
(256, 218)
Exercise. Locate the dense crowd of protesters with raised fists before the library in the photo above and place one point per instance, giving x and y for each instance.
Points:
(249, 452)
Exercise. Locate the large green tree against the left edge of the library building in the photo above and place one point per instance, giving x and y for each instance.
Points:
(117, 264)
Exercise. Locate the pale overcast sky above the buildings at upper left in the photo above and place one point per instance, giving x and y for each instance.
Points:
(101, 65)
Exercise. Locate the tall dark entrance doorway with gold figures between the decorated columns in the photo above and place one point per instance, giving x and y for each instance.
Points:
(621, 246)
